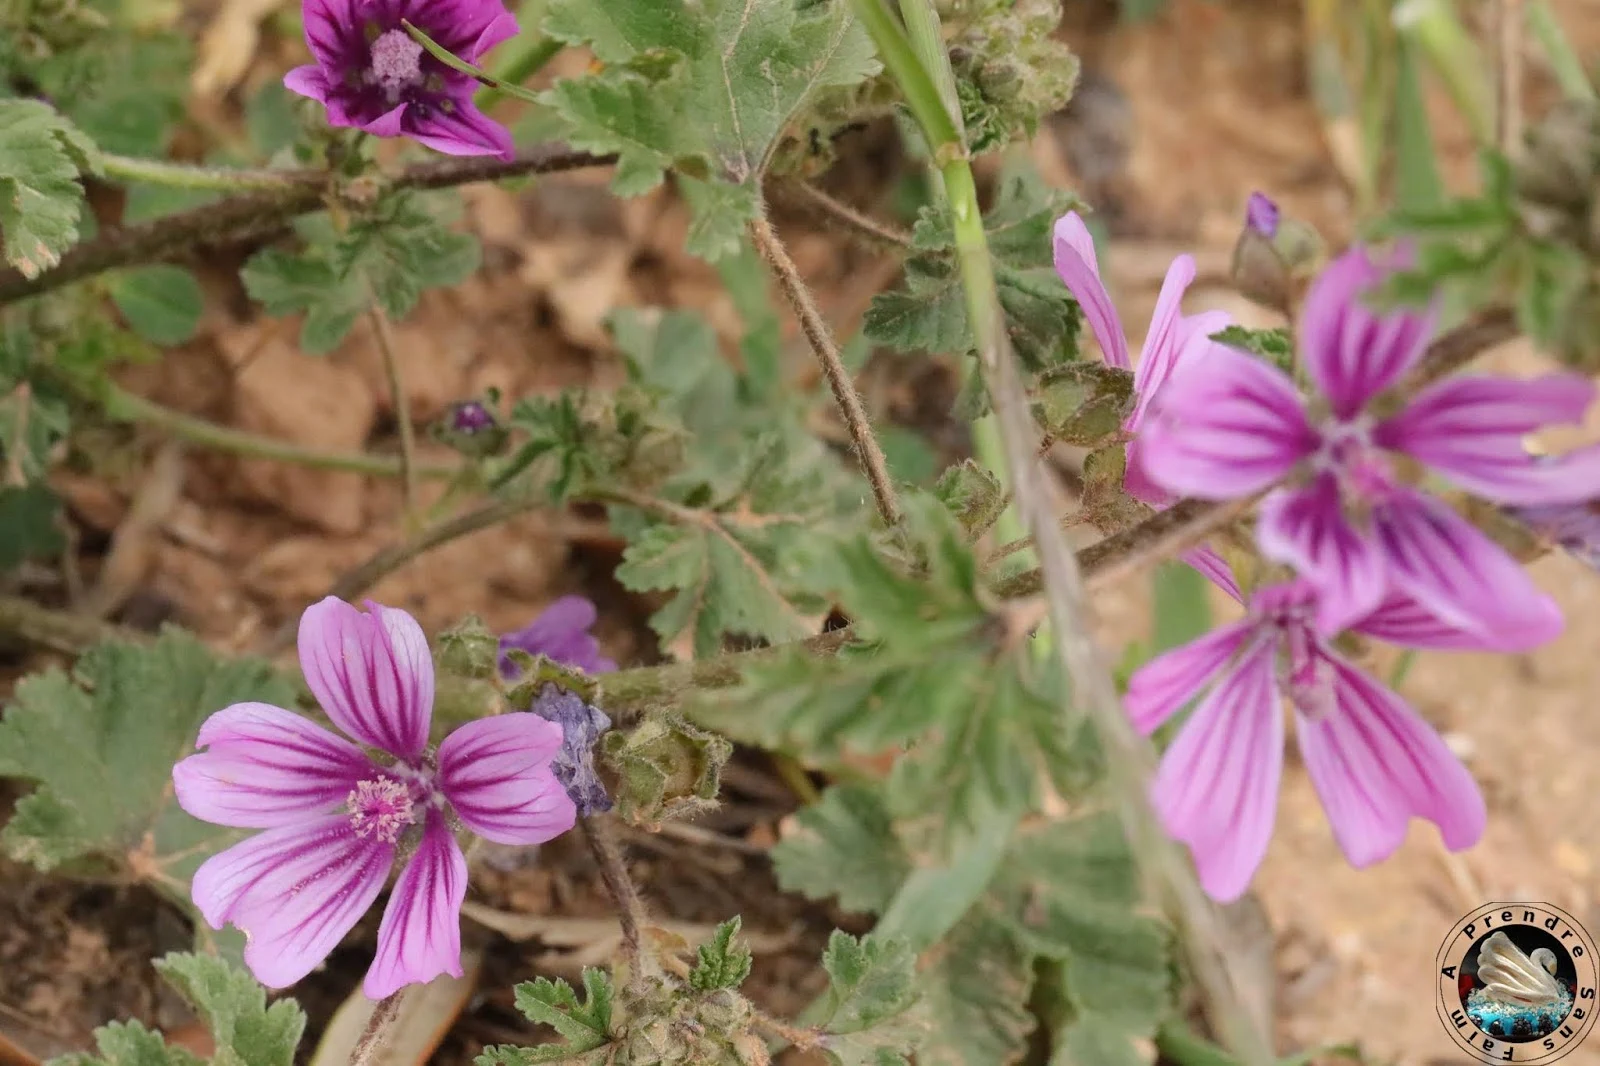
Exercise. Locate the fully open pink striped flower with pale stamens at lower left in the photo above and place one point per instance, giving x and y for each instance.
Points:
(337, 817)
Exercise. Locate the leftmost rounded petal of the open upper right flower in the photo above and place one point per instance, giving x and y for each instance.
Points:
(1223, 428)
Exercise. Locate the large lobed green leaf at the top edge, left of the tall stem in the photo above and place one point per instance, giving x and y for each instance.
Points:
(703, 89)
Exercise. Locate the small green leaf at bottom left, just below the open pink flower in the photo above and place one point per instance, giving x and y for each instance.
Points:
(249, 1032)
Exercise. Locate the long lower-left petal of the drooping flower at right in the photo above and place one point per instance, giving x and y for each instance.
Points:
(1218, 783)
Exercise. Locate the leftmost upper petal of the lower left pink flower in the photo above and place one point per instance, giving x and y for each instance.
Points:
(266, 767)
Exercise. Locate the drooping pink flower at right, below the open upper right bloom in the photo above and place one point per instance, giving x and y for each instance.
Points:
(1374, 763)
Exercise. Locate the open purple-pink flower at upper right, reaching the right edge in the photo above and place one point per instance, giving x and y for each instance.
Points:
(1353, 523)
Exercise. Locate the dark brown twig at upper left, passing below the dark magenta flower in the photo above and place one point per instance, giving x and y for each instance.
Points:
(255, 215)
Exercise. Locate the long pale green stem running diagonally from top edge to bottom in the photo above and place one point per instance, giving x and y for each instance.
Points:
(1130, 759)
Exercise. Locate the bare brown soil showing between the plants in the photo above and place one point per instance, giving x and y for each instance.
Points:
(1178, 121)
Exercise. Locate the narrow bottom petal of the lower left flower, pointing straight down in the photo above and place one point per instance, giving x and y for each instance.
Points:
(420, 937)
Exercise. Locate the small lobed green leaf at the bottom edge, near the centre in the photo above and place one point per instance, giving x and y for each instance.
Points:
(871, 1001)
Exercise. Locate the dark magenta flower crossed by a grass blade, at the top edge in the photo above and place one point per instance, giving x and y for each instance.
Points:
(370, 74)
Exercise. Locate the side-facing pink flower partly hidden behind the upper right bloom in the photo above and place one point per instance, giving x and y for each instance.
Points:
(1174, 340)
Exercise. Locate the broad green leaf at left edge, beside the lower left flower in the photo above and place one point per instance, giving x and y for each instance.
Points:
(102, 745)
